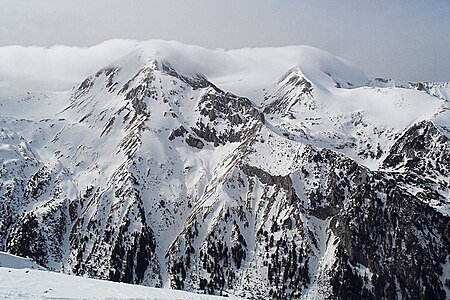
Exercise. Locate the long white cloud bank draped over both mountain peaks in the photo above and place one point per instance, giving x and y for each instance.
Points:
(241, 71)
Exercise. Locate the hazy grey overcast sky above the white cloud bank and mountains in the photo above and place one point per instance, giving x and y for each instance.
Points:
(401, 39)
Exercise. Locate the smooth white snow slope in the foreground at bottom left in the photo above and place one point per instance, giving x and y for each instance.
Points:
(19, 279)
